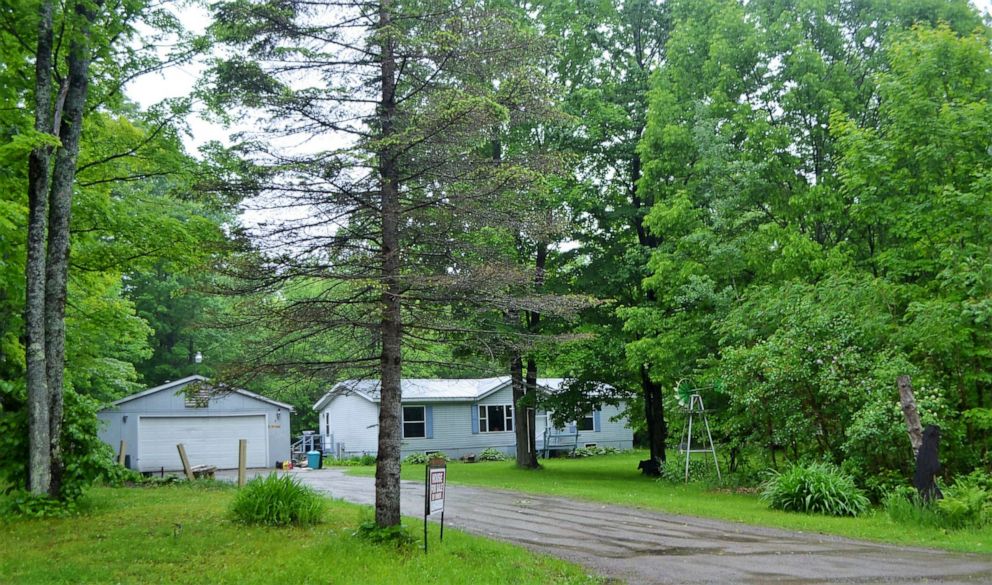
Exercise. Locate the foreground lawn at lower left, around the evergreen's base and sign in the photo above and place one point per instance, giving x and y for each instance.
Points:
(184, 534)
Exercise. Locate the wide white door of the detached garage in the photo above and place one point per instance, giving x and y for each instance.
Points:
(209, 440)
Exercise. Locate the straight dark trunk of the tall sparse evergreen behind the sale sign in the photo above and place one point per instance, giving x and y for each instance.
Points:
(387, 473)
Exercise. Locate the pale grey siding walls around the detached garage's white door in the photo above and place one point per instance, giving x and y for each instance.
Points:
(167, 403)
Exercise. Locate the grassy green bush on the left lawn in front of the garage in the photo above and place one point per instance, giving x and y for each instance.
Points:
(277, 500)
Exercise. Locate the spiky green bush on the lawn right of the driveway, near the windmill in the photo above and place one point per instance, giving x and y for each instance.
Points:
(816, 487)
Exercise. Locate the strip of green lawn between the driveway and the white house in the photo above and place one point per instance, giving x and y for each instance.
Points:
(615, 479)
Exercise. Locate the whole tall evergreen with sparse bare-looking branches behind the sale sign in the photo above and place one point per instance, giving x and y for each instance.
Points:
(390, 105)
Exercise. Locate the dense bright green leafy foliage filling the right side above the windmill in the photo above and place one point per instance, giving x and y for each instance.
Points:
(817, 212)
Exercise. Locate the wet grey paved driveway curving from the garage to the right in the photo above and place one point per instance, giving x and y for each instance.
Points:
(639, 546)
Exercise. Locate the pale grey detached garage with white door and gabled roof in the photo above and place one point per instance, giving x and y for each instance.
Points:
(209, 423)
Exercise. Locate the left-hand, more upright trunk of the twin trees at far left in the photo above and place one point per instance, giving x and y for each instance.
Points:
(39, 417)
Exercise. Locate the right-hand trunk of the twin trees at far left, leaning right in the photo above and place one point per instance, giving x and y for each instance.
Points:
(59, 215)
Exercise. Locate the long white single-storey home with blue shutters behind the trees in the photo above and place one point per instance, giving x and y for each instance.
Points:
(456, 416)
